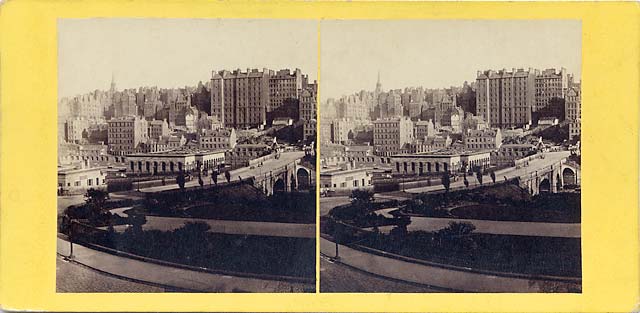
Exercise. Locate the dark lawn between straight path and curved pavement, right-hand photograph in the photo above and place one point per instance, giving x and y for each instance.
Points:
(501, 253)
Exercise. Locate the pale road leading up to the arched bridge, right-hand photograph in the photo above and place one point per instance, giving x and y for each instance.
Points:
(551, 158)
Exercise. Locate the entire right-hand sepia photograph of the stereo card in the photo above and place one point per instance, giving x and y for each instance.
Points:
(450, 156)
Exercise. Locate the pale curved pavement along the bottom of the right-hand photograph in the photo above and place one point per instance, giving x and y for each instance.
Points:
(455, 280)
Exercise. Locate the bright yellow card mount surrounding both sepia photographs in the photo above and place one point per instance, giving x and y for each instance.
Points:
(610, 100)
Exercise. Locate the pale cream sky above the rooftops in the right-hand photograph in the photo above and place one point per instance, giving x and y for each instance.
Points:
(439, 53)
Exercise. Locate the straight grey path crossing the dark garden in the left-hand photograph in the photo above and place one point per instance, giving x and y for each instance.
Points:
(225, 226)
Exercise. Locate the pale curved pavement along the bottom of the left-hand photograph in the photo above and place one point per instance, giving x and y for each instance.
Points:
(165, 275)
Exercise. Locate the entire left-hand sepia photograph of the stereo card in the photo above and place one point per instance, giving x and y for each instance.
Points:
(186, 155)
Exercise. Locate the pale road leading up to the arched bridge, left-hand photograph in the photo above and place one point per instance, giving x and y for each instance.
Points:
(286, 158)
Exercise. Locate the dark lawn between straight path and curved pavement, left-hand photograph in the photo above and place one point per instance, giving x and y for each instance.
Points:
(193, 245)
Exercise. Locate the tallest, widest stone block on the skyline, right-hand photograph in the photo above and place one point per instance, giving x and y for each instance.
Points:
(505, 99)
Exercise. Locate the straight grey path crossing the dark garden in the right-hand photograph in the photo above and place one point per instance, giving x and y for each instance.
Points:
(431, 224)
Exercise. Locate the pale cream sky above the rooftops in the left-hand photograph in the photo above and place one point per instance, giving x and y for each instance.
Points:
(177, 52)
